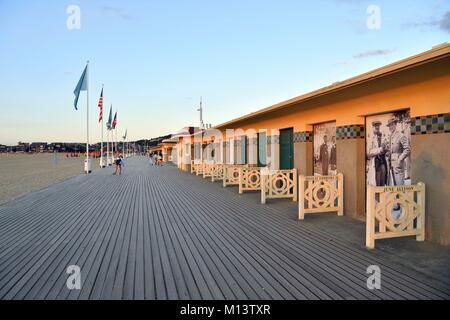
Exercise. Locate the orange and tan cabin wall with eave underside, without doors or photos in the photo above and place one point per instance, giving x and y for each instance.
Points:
(424, 90)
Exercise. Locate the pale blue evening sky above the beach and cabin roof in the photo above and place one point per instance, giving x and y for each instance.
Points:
(156, 58)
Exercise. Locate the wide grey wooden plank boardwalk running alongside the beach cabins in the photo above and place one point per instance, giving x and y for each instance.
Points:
(158, 233)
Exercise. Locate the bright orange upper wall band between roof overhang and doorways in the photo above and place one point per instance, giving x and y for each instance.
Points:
(424, 98)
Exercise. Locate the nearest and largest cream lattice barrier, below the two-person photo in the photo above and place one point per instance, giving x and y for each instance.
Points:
(395, 212)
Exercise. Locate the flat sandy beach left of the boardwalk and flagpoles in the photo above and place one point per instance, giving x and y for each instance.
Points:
(24, 173)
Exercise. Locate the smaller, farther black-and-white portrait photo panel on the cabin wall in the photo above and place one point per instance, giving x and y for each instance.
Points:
(325, 149)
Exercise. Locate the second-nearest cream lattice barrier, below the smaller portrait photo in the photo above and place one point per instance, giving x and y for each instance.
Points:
(321, 194)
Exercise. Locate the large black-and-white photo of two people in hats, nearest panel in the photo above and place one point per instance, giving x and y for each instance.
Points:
(388, 149)
